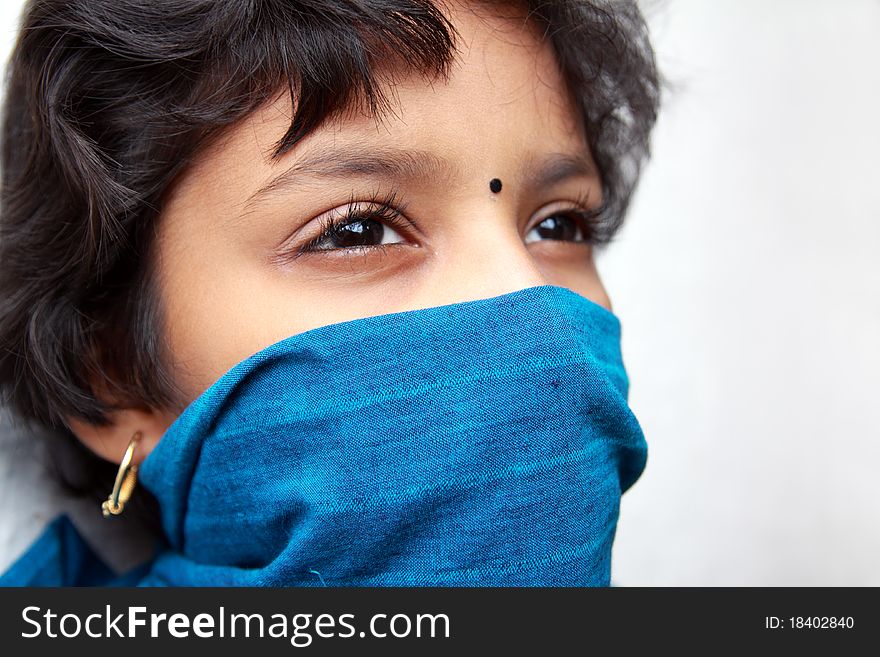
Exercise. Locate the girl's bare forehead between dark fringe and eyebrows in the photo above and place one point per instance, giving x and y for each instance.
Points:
(505, 98)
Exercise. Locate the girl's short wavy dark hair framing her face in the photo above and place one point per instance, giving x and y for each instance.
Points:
(107, 101)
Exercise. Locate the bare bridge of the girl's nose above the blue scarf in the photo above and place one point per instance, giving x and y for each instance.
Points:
(478, 264)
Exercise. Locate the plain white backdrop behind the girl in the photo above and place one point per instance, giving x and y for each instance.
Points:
(748, 284)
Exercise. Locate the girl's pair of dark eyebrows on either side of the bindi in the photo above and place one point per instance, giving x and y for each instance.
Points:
(410, 165)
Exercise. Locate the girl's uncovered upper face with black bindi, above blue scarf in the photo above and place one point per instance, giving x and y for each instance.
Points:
(240, 255)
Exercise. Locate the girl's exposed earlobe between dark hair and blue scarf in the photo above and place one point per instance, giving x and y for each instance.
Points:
(110, 441)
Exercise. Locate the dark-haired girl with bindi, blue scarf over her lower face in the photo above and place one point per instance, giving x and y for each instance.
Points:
(314, 281)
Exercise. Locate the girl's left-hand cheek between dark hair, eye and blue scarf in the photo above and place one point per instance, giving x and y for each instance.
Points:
(221, 306)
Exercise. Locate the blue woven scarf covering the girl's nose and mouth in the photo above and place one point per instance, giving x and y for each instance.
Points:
(479, 443)
